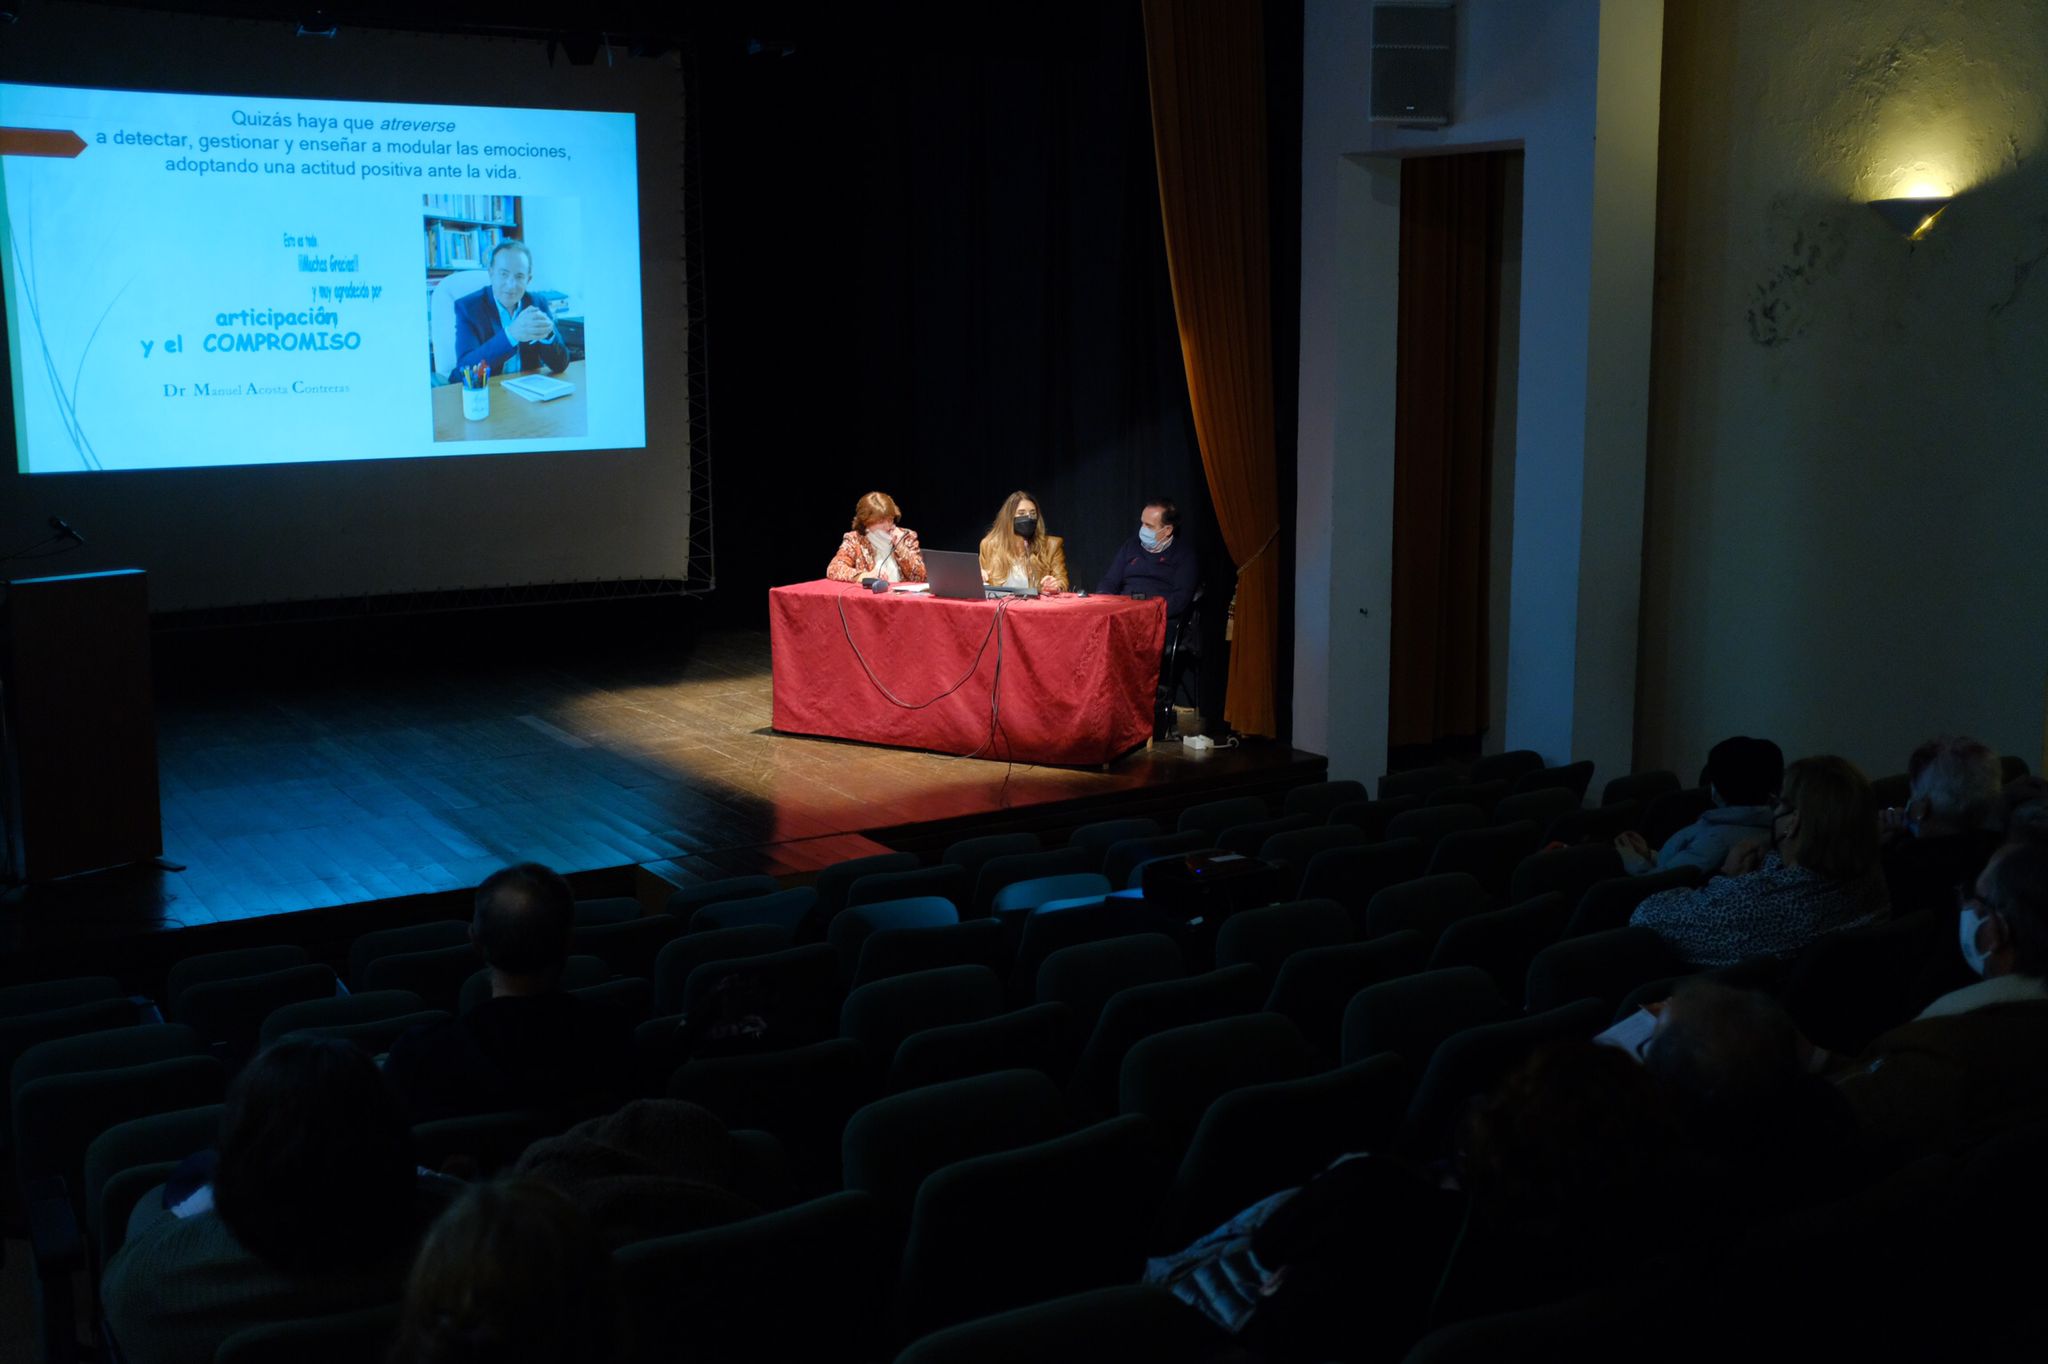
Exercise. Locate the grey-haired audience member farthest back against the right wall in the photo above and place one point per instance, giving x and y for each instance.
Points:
(1949, 826)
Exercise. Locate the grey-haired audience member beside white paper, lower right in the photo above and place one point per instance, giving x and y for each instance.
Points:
(1738, 1070)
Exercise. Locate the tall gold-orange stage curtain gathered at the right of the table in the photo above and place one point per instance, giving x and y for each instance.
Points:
(1207, 65)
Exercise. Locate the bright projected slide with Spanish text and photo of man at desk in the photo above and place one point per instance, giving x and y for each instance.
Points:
(202, 282)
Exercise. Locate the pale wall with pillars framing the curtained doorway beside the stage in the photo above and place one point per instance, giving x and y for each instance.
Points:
(1574, 85)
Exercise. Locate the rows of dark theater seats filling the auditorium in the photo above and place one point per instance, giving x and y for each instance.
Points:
(996, 1082)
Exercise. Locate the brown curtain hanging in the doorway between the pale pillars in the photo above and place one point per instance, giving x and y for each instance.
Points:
(1451, 257)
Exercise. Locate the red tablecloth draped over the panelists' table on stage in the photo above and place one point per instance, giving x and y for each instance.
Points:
(1078, 675)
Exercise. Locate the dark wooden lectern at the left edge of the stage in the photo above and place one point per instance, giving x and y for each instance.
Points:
(81, 724)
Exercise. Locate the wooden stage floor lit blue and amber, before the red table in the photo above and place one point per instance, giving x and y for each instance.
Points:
(357, 792)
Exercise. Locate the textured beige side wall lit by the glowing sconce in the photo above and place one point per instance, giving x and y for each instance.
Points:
(1848, 433)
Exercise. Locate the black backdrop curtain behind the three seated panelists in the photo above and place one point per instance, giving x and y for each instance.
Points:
(937, 269)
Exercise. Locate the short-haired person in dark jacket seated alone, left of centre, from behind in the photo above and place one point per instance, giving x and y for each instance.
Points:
(531, 1046)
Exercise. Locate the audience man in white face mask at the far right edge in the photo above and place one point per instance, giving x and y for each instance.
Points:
(1971, 1064)
